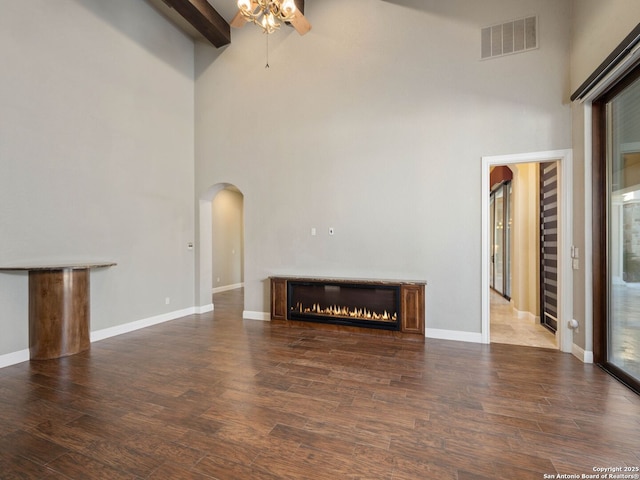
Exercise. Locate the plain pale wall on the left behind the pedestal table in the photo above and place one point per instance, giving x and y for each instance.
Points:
(96, 155)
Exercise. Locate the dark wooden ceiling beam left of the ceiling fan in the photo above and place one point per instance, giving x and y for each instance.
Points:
(205, 19)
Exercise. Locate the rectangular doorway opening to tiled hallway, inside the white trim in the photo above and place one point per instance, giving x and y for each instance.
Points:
(523, 257)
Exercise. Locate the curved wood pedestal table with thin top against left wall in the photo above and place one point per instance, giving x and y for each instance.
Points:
(58, 309)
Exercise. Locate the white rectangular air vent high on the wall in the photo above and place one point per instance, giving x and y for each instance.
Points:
(511, 37)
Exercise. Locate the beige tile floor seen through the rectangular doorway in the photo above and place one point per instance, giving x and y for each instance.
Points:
(506, 327)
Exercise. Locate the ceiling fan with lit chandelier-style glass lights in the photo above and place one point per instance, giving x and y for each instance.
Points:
(269, 14)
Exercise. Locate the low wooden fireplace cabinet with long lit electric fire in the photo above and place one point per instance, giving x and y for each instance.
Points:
(391, 307)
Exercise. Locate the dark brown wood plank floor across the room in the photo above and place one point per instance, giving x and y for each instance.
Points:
(213, 396)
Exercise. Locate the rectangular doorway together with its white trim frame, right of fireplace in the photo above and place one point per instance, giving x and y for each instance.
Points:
(522, 255)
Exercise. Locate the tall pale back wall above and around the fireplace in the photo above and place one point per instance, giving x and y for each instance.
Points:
(375, 124)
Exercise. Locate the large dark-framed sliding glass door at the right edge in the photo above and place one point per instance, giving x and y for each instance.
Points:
(619, 177)
